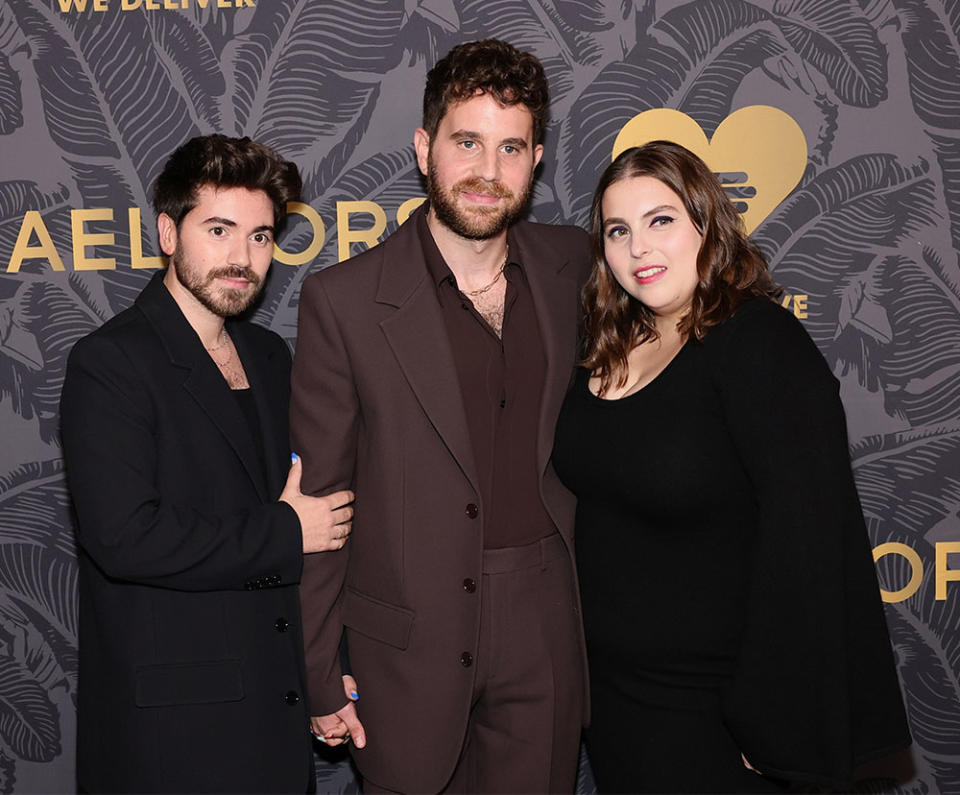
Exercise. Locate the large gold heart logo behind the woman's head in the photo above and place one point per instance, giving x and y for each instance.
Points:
(758, 151)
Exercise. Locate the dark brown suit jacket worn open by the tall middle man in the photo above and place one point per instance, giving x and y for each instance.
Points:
(376, 407)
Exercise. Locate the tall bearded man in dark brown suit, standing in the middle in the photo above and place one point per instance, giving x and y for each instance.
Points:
(428, 377)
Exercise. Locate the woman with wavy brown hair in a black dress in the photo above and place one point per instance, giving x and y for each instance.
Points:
(735, 633)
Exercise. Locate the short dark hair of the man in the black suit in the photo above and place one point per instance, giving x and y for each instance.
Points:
(224, 162)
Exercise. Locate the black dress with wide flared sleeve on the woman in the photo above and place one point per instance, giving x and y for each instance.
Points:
(729, 597)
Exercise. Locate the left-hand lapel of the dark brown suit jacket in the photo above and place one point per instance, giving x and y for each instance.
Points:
(418, 338)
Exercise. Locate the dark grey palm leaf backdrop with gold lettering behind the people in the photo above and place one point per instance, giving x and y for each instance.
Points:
(94, 94)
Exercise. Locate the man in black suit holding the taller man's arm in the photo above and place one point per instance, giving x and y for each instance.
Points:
(190, 530)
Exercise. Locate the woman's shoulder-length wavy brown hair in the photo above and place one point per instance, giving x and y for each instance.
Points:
(730, 268)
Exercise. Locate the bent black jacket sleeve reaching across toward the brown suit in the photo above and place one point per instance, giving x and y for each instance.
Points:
(132, 531)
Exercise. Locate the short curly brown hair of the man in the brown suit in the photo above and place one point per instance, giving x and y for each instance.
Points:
(491, 67)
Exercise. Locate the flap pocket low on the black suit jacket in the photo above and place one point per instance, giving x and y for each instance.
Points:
(189, 683)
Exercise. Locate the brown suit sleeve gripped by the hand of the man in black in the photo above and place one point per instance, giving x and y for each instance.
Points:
(324, 415)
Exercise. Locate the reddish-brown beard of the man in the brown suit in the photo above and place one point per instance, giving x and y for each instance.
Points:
(479, 223)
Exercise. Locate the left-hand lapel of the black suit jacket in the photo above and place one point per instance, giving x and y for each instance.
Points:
(202, 381)
